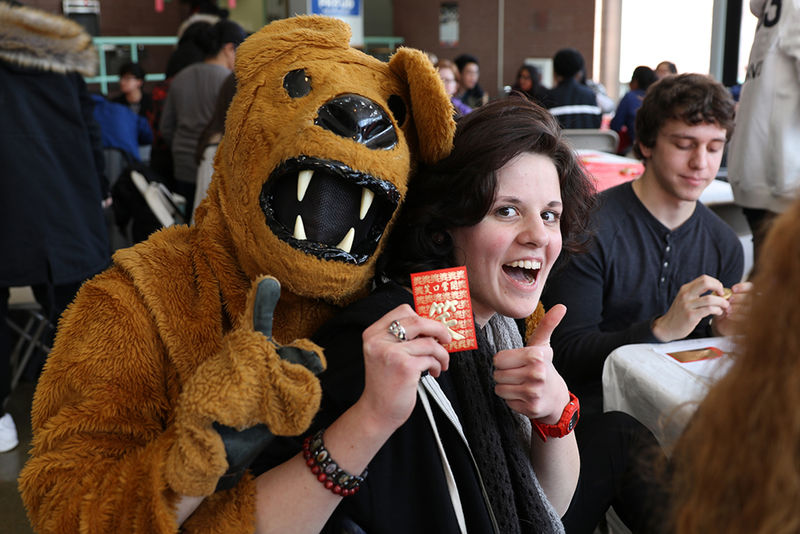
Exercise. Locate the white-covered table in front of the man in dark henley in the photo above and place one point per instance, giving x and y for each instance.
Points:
(658, 390)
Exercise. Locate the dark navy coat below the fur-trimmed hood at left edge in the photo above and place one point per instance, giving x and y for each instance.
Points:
(52, 186)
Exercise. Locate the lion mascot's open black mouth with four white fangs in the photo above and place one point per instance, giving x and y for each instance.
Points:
(328, 209)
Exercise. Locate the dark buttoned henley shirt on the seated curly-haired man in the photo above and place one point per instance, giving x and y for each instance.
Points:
(629, 277)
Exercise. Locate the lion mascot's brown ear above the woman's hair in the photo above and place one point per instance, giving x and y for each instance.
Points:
(431, 109)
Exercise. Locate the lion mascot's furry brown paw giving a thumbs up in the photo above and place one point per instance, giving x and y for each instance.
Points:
(235, 404)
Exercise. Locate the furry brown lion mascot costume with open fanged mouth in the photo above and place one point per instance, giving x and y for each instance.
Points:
(182, 347)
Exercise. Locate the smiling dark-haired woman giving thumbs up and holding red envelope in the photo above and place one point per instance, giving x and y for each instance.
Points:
(502, 203)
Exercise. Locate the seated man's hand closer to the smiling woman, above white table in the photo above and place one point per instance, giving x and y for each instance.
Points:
(697, 299)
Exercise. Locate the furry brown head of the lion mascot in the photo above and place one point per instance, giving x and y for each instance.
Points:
(319, 143)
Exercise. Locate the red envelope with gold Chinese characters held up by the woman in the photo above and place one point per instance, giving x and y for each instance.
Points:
(444, 295)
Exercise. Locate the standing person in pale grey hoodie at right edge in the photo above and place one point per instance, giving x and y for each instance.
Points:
(763, 159)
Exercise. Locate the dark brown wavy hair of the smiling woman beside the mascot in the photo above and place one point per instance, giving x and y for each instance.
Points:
(459, 190)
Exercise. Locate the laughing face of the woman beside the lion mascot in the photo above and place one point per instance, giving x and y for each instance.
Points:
(510, 252)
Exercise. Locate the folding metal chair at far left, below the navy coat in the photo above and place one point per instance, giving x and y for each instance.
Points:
(22, 304)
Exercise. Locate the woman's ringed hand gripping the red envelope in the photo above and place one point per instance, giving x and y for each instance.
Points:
(393, 367)
